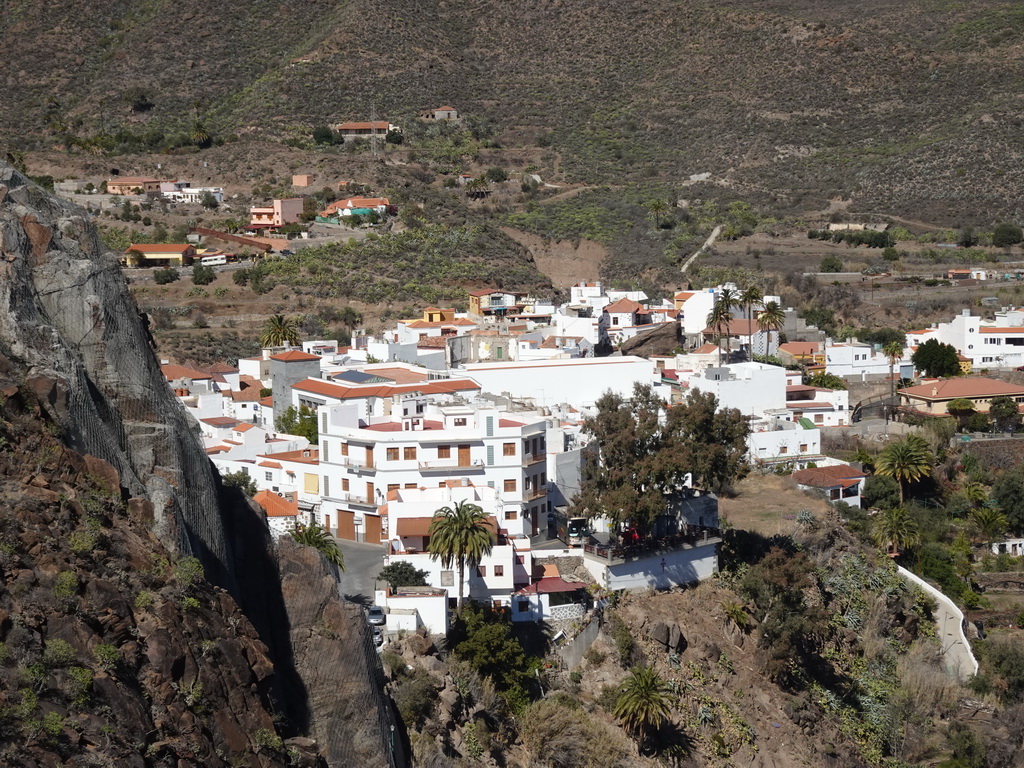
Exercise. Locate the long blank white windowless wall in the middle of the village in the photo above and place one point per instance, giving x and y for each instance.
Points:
(581, 381)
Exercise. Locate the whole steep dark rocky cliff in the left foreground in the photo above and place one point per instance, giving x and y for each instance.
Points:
(144, 620)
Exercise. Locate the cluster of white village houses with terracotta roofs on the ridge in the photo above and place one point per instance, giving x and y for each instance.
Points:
(487, 408)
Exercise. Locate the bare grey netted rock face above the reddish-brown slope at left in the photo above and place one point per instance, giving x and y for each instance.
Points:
(67, 316)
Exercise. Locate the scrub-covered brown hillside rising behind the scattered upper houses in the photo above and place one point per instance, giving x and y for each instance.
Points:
(908, 109)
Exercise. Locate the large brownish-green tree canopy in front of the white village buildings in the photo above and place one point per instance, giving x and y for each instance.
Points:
(643, 451)
